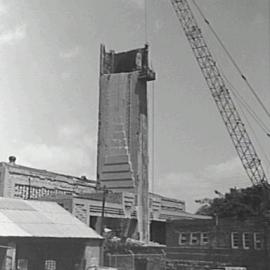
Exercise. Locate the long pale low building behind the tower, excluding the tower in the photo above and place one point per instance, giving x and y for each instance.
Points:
(81, 197)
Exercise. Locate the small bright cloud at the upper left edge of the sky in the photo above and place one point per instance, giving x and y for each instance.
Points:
(11, 36)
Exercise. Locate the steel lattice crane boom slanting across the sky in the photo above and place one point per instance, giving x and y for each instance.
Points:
(221, 94)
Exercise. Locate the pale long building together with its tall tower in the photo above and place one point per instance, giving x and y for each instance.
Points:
(122, 161)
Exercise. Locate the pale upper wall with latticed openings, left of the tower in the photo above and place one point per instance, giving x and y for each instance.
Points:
(15, 181)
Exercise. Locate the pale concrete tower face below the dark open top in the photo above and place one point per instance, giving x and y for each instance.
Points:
(122, 106)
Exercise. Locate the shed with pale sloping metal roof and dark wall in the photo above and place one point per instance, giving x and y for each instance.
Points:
(37, 235)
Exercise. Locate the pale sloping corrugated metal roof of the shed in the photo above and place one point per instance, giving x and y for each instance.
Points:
(19, 218)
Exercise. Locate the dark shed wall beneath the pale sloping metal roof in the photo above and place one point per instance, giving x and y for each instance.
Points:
(65, 253)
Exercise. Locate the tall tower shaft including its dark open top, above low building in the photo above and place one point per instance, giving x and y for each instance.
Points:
(122, 120)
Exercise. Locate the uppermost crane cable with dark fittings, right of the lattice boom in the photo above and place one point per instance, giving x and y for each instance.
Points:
(232, 59)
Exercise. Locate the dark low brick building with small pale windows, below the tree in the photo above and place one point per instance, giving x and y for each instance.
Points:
(210, 244)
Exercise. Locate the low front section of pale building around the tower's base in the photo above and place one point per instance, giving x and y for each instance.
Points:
(120, 212)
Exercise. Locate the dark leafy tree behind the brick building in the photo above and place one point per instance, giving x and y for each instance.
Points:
(240, 203)
